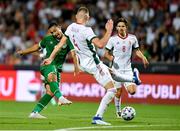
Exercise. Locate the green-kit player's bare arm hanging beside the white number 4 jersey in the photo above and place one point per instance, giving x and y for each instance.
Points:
(76, 63)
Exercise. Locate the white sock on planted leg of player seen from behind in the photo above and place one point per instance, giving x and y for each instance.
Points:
(105, 101)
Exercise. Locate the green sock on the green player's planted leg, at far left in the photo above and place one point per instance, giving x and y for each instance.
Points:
(42, 103)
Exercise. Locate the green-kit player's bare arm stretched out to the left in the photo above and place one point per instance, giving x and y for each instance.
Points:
(29, 50)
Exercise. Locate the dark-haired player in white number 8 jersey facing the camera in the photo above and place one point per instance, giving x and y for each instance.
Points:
(119, 51)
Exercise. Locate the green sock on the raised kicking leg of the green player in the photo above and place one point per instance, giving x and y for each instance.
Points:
(54, 87)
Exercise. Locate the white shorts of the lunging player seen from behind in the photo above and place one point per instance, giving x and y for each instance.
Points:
(100, 72)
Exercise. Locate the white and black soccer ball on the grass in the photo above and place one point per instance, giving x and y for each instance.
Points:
(128, 113)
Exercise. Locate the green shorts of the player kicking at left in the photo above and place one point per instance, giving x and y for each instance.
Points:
(47, 69)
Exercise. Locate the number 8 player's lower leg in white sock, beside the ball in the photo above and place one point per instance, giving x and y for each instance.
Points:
(117, 102)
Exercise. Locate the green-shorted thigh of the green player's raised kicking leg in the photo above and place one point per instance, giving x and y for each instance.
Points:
(49, 72)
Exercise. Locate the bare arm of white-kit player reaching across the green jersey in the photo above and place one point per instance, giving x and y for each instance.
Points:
(55, 51)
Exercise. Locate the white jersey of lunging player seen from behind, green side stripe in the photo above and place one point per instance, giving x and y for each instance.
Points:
(81, 37)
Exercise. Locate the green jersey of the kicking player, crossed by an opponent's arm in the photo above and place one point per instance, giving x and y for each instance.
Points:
(48, 43)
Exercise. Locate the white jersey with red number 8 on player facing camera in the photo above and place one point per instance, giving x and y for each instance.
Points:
(122, 51)
